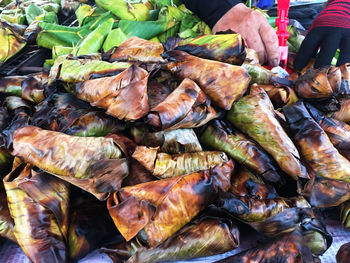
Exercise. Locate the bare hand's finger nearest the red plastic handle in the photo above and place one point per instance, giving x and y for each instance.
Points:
(270, 41)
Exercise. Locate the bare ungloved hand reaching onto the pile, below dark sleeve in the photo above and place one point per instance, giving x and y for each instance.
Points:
(255, 30)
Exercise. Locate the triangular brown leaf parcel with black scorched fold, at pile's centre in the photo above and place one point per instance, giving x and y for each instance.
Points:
(186, 107)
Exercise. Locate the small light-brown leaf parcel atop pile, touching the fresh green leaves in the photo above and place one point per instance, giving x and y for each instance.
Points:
(137, 49)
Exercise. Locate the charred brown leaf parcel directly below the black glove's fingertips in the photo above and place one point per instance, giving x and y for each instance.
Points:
(319, 83)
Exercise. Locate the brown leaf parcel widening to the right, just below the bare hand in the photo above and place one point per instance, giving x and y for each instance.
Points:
(223, 83)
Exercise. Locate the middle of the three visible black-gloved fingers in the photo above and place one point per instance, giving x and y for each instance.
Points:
(328, 47)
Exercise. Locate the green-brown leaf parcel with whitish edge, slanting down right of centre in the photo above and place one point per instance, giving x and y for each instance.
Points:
(255, 116)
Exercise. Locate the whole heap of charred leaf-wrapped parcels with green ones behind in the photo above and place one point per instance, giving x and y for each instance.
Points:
(154, 151)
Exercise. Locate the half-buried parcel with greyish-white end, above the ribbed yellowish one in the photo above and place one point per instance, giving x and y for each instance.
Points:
(171, 142)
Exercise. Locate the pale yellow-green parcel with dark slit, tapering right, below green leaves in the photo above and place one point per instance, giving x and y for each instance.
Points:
(74, 70)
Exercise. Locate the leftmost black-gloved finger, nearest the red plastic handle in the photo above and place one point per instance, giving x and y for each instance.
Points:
(308, 49)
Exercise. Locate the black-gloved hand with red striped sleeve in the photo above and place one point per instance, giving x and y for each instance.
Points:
(329, 31)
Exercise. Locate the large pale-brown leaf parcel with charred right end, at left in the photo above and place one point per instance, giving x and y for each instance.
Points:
(90, 163)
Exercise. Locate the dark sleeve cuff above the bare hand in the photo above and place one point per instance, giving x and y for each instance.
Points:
(210, 11)
